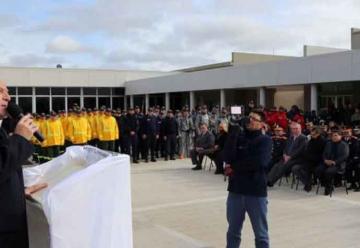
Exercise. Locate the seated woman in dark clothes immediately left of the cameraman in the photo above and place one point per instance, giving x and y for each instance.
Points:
(218, 155)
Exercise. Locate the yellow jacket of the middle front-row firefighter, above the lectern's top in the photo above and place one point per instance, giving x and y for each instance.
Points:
(79, 130)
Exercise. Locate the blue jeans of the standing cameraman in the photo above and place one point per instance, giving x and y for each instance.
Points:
(256, 207)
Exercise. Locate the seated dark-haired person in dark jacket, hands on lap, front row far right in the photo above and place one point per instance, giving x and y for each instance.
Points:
(334, 160)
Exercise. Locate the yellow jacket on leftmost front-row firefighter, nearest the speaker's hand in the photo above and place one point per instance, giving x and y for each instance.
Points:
(54, 133)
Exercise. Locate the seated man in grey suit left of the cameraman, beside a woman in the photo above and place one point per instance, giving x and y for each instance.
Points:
(204, 144)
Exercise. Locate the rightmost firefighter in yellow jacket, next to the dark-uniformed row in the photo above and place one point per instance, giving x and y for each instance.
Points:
(108, 131)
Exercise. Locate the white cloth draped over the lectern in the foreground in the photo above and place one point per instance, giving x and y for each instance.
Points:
(87, 203)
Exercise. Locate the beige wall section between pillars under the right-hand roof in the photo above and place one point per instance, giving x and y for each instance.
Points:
(289, 96)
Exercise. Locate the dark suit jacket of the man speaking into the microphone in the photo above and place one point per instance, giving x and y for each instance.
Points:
(14, 151)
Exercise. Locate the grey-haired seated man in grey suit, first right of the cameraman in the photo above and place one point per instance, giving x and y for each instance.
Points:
(293, 151)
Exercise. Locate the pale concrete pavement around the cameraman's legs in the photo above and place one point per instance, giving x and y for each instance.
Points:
(174, 206)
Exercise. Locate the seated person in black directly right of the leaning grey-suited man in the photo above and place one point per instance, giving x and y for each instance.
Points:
(311, 159)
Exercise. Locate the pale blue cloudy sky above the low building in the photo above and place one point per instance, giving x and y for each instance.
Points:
(166, 35)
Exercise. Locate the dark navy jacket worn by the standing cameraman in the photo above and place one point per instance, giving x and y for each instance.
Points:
(248, 154)
